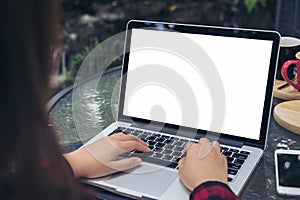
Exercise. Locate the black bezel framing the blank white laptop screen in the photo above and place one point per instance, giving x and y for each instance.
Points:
(206, 30)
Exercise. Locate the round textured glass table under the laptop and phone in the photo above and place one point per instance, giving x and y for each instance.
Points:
(261, 184)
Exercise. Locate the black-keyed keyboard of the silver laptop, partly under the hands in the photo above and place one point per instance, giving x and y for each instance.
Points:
(168, 150)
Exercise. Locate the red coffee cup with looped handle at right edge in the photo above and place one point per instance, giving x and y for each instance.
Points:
(289, 64)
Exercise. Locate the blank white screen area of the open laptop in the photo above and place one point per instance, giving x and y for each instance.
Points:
(242, 65)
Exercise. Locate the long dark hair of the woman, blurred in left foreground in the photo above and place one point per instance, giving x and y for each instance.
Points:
(29, 32)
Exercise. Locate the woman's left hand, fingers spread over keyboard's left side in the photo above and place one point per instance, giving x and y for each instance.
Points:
(100, 158)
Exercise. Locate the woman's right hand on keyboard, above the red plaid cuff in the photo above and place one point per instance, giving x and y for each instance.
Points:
(203, 162)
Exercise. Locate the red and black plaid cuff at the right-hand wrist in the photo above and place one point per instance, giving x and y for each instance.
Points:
(213, 190)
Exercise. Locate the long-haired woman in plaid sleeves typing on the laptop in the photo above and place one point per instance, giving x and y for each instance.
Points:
(31, 165)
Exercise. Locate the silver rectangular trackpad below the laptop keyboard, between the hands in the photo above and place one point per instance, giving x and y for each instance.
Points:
(145, 179)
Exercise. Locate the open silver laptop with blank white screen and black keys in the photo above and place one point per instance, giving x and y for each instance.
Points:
(182, 82)
